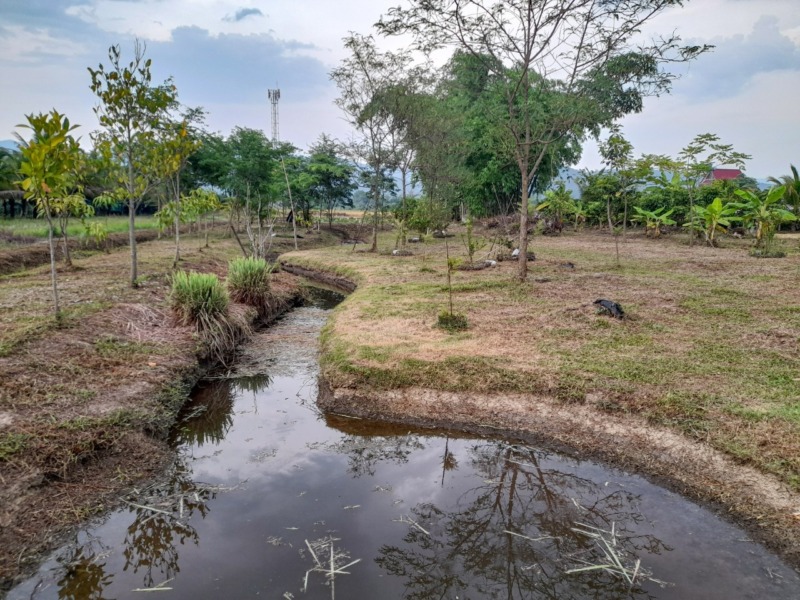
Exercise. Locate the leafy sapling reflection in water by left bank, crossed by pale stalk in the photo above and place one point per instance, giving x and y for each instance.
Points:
(162, 524)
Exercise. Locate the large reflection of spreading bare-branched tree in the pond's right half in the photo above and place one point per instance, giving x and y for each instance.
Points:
(513, 537)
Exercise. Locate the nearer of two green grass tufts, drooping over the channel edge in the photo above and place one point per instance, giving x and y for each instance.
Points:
(201, 300)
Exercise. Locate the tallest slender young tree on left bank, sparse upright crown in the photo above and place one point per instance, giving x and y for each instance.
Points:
(131, 112)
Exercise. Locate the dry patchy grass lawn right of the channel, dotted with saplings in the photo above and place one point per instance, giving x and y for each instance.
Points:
(710, 346)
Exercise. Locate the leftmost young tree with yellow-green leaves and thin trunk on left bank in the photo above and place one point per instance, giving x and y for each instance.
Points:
(50, 161)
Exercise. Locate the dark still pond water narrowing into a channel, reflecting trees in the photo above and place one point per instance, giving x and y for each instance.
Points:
(270, 499)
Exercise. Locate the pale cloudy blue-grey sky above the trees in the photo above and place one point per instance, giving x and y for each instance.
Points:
(225, 54)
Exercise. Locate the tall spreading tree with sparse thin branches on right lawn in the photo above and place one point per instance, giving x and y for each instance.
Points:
(577, 55)
